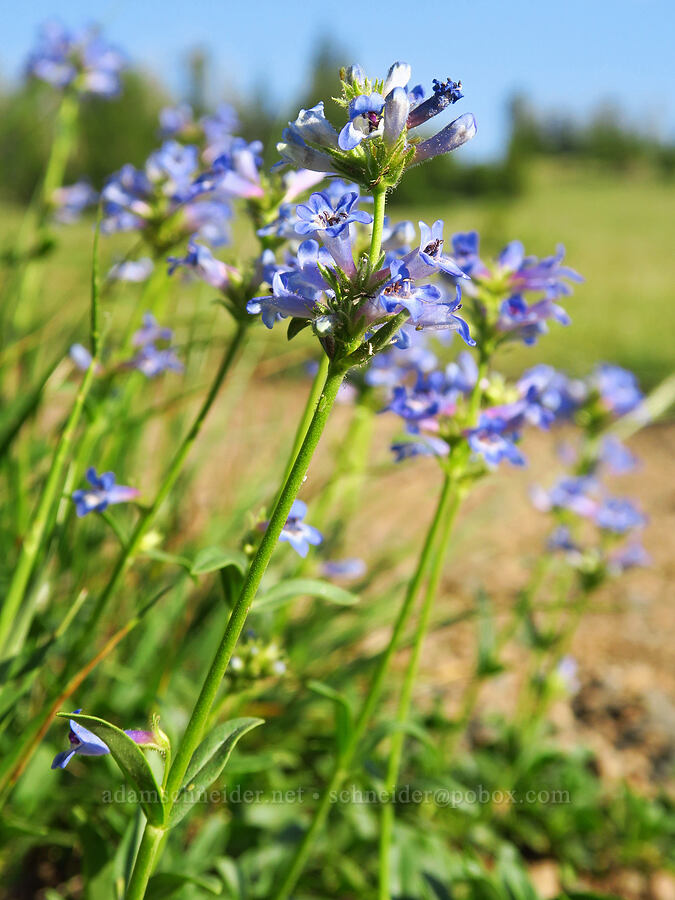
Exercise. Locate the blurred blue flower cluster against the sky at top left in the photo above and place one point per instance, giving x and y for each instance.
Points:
(80, 61)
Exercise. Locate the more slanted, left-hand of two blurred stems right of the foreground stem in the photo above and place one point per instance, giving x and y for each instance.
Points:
(370, 702)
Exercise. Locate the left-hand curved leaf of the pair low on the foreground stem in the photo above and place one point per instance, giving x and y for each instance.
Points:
(131, 760)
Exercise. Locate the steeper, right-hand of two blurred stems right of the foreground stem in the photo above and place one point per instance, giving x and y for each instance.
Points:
(403, 711)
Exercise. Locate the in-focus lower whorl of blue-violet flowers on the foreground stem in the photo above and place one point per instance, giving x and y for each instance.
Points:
(325, 285)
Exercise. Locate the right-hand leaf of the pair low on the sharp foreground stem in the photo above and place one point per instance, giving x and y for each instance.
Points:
(207, 763)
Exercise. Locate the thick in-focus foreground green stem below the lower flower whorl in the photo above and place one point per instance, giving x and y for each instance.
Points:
(193, 733)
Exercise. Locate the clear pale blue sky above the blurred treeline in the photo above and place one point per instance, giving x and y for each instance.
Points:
(568, 55)
